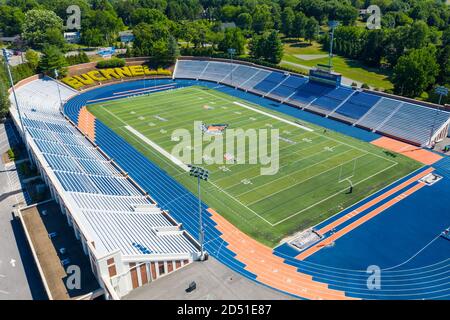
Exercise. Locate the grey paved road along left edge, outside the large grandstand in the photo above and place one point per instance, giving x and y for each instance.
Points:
(19, 278)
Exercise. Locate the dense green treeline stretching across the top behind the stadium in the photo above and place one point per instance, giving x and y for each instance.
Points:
(414, 33)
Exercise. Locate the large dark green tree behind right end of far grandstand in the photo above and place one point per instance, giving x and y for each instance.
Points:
(415, 72)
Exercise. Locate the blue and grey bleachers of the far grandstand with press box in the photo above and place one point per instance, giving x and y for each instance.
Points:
(407, 121)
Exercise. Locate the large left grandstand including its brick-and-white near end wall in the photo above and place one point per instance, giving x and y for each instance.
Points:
(128, 238)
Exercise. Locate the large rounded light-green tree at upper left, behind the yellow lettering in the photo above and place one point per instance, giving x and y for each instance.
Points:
(38, 23)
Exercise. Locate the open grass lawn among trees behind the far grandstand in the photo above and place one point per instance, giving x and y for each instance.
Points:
(349, 68)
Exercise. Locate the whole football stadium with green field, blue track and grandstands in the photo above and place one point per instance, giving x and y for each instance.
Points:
(356, 185)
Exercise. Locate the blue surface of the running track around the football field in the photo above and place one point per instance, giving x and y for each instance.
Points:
(392, 238)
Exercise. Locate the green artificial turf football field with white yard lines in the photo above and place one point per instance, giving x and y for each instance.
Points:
(316, 167)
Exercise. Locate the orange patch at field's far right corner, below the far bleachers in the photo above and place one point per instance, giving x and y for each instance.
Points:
(416, 153)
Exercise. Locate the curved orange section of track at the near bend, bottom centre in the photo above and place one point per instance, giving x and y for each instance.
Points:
(270, 269)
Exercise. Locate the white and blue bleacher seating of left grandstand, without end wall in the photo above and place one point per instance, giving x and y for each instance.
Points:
(103, 199)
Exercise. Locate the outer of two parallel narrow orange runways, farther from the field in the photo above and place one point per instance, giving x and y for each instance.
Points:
(327, 241)
